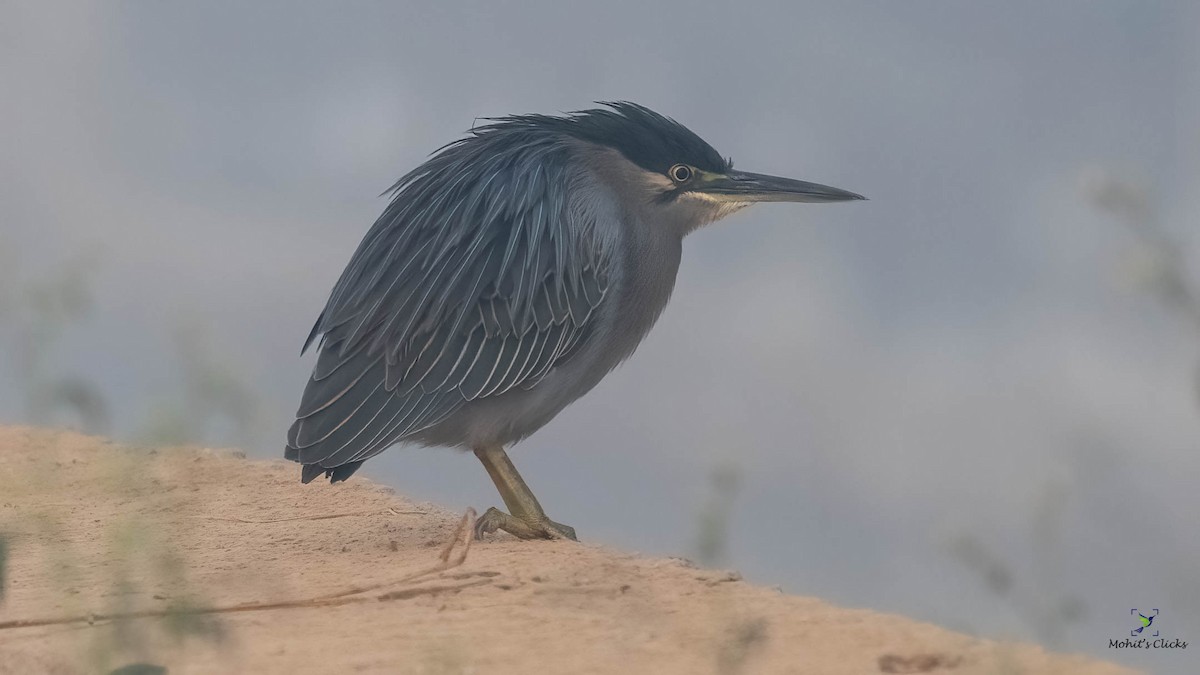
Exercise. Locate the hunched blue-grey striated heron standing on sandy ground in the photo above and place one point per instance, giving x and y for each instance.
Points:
(507, 277)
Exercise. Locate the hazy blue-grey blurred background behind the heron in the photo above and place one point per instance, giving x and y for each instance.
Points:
(973, 399)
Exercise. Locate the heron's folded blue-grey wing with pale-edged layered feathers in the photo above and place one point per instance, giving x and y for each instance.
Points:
(479, 278)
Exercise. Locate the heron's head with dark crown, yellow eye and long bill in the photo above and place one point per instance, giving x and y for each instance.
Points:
(675, 172)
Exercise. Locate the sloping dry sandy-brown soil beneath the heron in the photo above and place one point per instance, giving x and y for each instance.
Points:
(321, 580)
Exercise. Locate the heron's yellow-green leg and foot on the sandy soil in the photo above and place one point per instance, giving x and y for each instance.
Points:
(527, 519)
